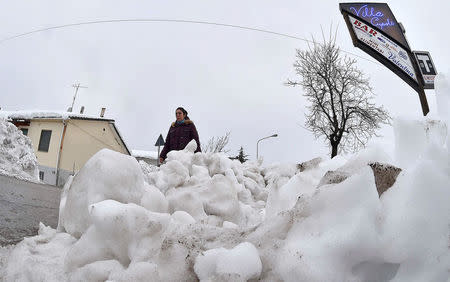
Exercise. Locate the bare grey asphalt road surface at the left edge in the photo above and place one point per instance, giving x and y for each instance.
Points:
(23, 205)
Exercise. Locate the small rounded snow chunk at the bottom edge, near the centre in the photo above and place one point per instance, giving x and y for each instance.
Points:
(242, 262)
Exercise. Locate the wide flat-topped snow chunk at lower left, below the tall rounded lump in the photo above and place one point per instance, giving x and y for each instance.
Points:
(123, 232)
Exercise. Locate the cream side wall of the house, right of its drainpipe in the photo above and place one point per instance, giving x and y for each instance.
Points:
(83, 139)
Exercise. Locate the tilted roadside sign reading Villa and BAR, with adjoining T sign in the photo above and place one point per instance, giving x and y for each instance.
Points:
(375, 30)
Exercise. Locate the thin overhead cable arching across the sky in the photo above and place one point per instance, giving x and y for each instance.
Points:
(171, 21)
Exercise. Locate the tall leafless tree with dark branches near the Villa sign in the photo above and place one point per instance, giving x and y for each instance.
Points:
(339, 94)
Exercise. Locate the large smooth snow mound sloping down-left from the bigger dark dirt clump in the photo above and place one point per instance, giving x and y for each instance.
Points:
(337, 232)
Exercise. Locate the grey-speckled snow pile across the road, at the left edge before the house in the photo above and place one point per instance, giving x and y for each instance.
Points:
(17, 158)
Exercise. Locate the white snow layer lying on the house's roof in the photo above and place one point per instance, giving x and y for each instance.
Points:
(39, 114)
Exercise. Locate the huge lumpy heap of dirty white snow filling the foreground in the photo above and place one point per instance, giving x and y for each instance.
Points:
(204, 216)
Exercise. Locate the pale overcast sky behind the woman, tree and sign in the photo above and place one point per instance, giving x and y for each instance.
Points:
(228, 79)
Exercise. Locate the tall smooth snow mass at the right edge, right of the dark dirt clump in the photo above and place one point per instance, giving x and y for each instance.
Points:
(417, 217)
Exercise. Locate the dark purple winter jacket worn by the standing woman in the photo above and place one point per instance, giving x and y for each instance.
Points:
(179, 136)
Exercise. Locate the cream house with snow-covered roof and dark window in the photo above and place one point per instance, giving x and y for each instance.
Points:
(64, 142)
